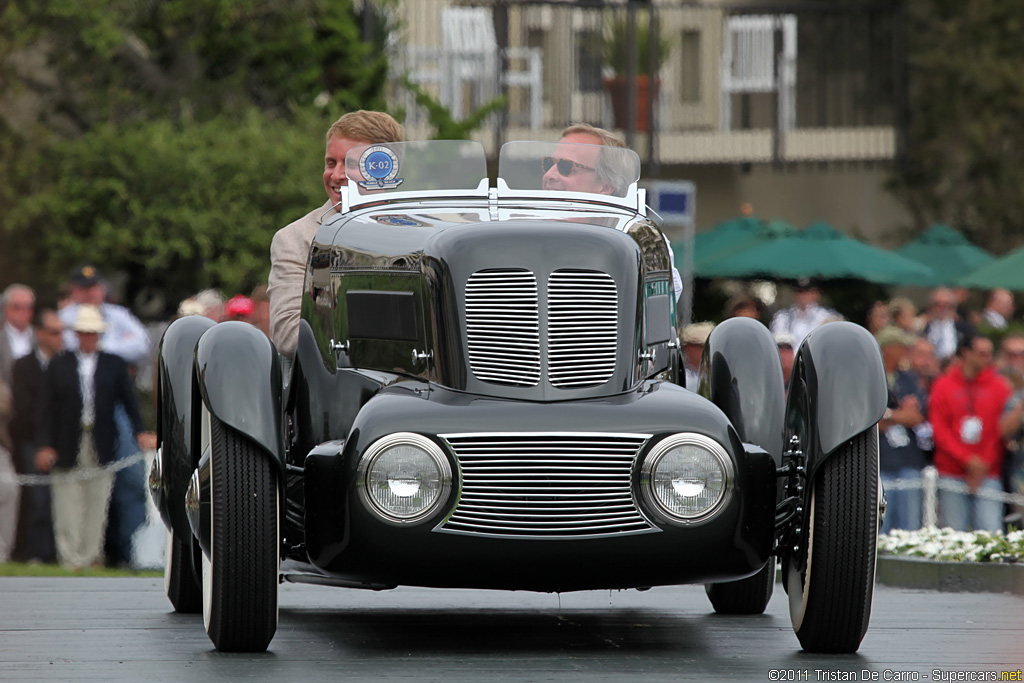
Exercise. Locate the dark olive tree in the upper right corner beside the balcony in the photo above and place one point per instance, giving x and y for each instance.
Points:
(966, 102)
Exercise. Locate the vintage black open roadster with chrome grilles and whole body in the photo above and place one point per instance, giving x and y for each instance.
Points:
(488, 394)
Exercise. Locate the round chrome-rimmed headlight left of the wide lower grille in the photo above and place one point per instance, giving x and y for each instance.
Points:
(405, 478)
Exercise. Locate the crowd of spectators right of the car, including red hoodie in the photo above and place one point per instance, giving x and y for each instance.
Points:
(956, 377)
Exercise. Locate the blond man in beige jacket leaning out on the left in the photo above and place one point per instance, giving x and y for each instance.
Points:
(290, 247)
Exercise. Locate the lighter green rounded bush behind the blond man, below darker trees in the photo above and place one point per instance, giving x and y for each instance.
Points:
(178, 208)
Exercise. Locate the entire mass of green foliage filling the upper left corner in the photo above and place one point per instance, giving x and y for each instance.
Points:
(169, 140)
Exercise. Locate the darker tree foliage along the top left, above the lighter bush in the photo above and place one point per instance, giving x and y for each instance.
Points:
(90, 62)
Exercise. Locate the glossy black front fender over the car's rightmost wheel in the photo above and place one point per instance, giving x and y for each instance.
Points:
(838, 389)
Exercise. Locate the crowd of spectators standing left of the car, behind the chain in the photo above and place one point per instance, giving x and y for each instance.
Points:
(72, 479)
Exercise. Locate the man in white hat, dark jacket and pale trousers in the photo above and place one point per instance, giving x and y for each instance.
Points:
(78, 437)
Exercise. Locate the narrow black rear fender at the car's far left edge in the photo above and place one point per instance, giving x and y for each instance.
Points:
(175, 419)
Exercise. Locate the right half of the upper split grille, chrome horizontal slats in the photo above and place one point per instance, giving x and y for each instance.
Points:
(583, 316)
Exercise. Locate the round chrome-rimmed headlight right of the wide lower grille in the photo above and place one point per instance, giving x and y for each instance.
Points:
(688, 477)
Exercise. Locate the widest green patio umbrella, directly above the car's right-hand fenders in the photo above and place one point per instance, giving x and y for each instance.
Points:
(820, 251)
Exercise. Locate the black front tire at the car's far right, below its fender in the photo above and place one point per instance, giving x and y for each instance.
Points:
(831, 596)
